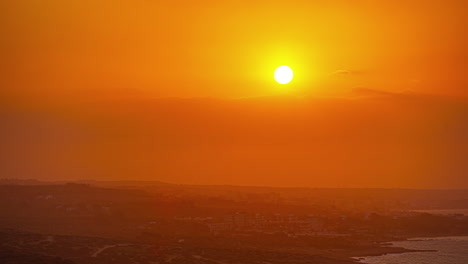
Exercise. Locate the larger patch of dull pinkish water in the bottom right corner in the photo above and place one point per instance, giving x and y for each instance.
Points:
(450, 250)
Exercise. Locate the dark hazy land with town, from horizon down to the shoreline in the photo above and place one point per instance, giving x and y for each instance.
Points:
(152, 223)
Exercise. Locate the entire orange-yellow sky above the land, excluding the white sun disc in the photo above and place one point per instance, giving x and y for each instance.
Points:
(183, 92)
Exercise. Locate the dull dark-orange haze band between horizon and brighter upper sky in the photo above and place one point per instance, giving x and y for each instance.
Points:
(391, 140)
